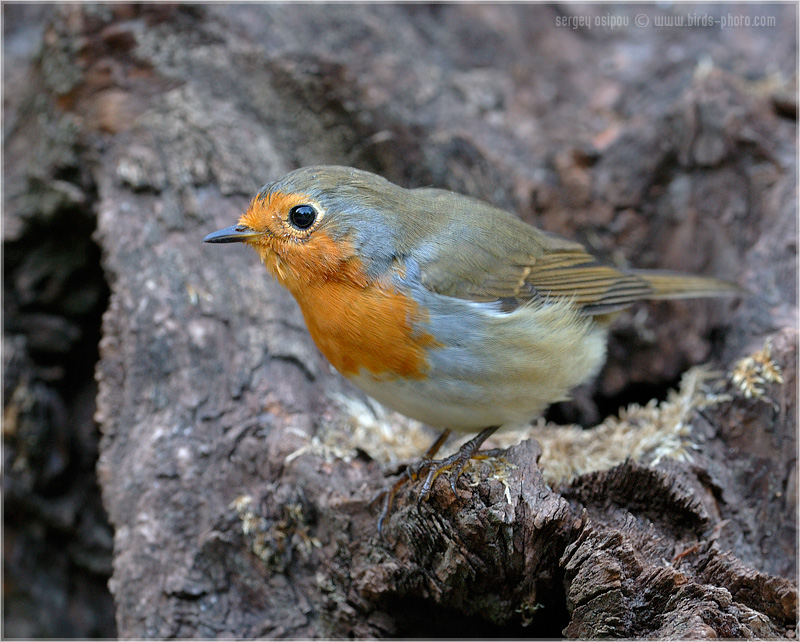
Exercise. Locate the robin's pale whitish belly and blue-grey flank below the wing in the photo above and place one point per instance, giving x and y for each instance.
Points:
(494, 368)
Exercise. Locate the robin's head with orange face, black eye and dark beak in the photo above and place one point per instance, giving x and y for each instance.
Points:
(320, 223)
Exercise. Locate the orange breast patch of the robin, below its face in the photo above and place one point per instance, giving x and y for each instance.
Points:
(369, 327)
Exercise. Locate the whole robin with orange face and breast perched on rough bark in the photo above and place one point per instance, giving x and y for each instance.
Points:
(440, 306)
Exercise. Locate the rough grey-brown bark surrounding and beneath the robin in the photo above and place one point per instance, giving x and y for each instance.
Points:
(233, 511)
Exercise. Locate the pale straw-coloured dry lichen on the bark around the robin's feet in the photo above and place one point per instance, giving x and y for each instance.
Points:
(646, 434)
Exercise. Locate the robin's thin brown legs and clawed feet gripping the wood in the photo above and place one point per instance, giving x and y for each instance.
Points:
(453, 465)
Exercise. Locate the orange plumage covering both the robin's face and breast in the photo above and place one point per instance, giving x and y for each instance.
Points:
(359, 323)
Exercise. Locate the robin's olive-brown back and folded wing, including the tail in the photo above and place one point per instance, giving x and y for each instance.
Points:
(500, 258)
